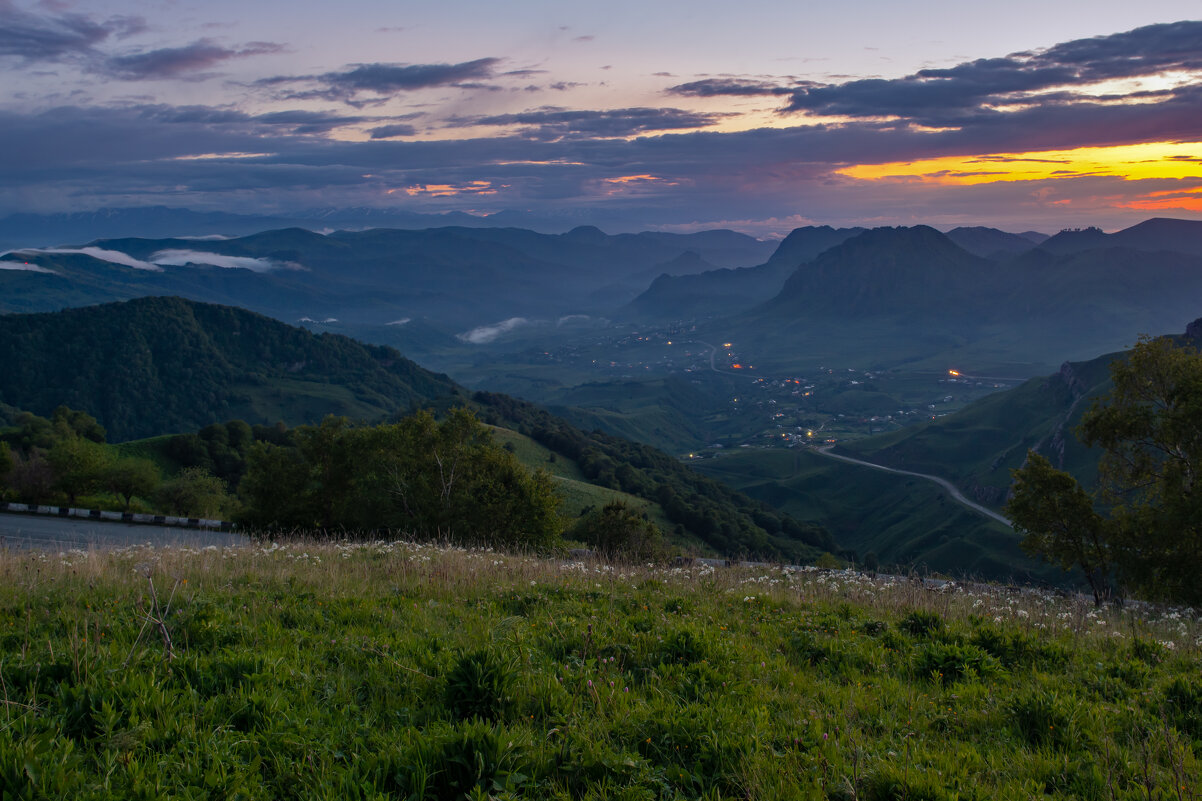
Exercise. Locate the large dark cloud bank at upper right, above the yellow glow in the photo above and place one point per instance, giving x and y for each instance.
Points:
(974, 88)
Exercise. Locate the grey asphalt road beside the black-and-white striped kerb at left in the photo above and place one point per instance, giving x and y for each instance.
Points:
(64, 533)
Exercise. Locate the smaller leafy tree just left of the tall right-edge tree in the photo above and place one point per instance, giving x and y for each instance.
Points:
(1060, 523)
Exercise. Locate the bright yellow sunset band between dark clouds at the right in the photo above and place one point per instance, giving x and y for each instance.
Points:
(1174, 161)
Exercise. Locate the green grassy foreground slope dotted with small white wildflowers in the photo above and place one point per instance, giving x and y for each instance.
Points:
(407, 672)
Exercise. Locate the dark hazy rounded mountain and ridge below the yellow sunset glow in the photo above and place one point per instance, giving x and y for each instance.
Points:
(914, 296)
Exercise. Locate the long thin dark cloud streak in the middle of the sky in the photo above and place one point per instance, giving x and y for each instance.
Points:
(555, 123)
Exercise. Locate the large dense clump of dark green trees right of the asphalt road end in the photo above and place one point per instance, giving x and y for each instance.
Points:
(437, 480)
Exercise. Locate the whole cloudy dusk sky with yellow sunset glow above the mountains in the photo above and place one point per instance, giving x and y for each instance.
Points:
(757, 116)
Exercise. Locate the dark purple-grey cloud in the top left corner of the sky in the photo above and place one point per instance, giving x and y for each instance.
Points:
(35, 38)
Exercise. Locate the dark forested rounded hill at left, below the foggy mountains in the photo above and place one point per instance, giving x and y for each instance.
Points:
(160, 365)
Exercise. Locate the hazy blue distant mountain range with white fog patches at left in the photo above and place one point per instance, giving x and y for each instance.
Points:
(456, 278)
